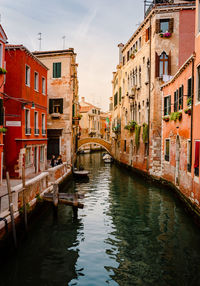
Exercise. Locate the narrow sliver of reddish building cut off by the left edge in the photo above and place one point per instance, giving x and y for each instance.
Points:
(3, 40)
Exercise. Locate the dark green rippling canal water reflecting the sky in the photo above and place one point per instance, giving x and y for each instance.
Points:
(129, 233)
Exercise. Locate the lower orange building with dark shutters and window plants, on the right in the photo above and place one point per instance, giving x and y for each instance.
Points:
(176, 128)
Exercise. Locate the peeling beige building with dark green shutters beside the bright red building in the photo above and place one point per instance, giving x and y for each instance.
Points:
(62, 118)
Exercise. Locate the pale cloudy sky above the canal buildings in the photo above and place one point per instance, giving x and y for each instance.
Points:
(93, 28)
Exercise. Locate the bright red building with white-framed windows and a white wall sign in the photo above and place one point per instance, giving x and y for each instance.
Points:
(25, 102)
